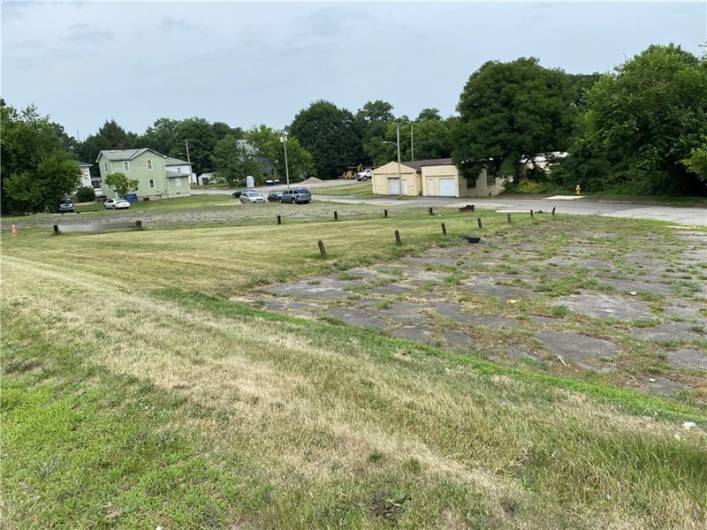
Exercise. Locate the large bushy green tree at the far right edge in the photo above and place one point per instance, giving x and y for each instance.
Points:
(644, 127)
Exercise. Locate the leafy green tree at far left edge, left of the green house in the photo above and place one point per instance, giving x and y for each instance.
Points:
(37, 172)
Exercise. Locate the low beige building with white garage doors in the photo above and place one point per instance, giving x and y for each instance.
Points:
(434, 178)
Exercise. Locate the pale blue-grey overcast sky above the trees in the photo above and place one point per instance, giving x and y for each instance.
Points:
(251, 63)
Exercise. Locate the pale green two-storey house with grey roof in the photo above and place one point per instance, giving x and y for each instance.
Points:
(158, 176)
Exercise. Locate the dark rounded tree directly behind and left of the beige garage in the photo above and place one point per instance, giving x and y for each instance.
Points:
(330, 134)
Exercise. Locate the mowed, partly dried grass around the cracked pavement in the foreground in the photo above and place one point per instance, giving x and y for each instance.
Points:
(135, 394)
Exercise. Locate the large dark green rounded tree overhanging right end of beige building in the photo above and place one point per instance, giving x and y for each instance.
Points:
(509, 111)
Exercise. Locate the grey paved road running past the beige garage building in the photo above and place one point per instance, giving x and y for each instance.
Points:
(673, 214)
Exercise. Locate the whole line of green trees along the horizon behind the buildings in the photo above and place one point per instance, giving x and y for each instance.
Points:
(641, 128)
